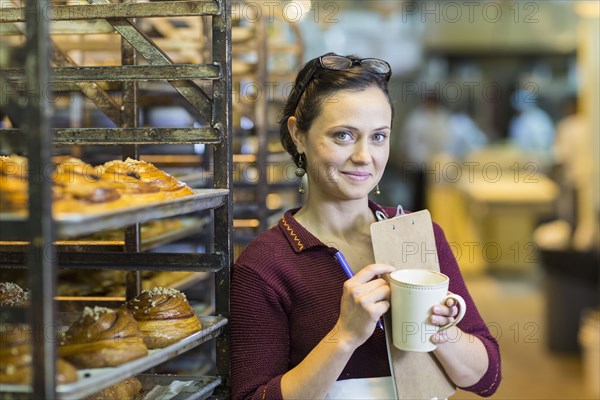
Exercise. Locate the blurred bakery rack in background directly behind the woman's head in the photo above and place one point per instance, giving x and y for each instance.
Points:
(268, 50)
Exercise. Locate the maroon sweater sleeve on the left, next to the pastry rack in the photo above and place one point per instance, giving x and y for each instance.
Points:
(259, 337)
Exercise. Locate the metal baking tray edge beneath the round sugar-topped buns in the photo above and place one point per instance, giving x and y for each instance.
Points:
(93, 380)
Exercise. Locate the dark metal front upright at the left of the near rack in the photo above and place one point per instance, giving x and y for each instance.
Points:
(41, 261)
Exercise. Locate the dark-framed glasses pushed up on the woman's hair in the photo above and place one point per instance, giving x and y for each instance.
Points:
(342, 63)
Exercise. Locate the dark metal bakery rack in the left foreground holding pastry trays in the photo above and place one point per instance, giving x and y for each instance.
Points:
(26, 99)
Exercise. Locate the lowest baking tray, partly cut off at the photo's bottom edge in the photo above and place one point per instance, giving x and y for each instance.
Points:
(201, 389)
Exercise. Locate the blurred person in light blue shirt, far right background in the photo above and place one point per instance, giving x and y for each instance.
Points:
(532, 129)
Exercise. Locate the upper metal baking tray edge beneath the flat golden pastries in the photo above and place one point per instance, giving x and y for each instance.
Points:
(72, 225)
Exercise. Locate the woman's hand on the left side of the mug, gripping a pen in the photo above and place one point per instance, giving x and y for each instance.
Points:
(365, 298)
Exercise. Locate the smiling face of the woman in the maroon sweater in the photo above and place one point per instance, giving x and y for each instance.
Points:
(347, 146)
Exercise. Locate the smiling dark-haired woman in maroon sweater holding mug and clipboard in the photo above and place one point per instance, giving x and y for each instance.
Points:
(300, 329)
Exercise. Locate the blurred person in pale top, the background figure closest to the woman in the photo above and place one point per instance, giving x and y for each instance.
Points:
(424, 136)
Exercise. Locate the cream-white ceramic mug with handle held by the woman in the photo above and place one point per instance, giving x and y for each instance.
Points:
(414, 293)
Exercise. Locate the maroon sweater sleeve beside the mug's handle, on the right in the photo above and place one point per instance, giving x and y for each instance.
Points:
(472, 323)
